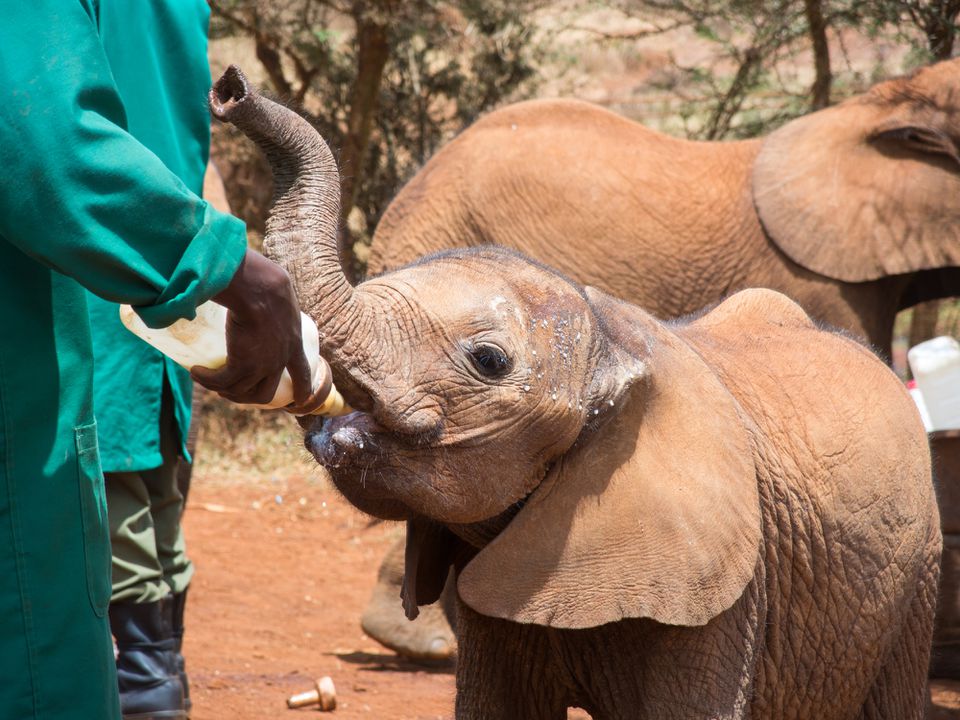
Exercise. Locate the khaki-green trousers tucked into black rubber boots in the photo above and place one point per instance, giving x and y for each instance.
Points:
(144, 508)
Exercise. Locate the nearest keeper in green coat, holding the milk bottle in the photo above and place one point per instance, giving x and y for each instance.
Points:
(84, 203)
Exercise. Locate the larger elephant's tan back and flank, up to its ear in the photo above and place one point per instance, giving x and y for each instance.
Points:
(588, 192)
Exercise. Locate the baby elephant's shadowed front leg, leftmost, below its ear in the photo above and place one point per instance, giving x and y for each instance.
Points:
(506, 671)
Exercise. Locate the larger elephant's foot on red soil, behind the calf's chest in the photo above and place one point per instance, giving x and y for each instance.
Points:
(429, 638)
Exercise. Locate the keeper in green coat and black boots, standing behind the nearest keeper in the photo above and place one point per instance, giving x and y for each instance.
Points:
(157, 52)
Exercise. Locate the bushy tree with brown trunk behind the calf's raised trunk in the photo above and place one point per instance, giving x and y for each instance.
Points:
(386, 81)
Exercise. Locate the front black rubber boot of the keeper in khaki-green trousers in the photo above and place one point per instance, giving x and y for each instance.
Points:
(147, 673)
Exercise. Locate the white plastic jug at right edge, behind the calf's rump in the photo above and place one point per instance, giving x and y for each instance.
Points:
(935, 365)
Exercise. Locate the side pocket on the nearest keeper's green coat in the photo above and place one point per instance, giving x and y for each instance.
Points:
(93, 506)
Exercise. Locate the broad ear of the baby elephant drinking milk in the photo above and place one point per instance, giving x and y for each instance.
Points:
(654, 514)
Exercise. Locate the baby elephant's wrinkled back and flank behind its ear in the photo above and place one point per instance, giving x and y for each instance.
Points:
(848, 509)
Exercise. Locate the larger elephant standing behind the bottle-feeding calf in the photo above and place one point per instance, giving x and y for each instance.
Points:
(853, 211)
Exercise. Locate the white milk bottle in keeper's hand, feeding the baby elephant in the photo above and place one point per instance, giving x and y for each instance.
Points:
(203, 341)
